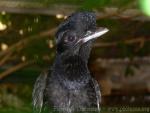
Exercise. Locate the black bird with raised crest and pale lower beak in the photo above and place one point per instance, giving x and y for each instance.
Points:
(69, 87)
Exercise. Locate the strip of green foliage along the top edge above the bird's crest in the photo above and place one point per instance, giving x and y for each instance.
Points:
(88, 4)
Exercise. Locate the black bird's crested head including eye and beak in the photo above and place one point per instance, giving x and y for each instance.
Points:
(75, 35)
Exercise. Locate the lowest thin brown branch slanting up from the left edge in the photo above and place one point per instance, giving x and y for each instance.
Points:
(14, 68)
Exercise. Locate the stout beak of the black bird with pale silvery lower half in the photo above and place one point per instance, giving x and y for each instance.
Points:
(93, 35)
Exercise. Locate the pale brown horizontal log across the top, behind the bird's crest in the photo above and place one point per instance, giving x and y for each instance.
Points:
(26, 7)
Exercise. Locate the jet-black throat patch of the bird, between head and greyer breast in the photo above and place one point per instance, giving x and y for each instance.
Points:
(73, 68)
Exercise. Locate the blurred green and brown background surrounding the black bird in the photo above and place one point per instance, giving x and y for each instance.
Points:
(120, 60)
